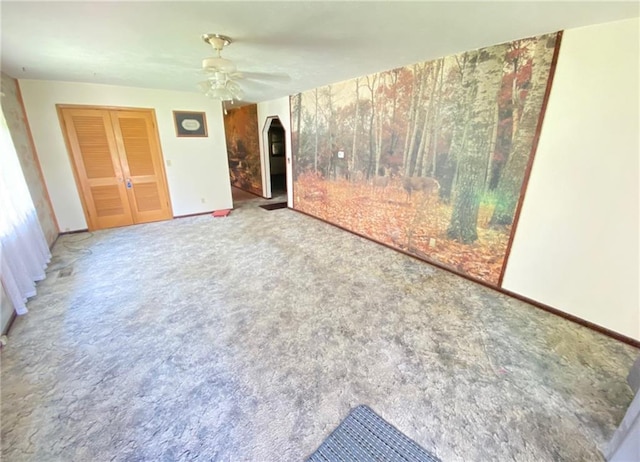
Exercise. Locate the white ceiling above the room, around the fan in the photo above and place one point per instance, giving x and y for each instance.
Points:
(295, 45)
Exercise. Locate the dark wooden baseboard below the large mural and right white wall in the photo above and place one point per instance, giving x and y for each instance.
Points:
(602, 330)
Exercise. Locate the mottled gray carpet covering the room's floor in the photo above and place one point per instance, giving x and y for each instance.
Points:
(250, 337)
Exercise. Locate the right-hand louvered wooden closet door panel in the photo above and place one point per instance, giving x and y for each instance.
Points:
(142, 165)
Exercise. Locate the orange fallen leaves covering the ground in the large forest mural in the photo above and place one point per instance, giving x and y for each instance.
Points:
(415, 224)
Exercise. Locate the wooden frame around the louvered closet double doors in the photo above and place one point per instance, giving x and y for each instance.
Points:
(156, 134)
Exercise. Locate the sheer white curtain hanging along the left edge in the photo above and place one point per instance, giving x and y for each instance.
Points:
(24, 253)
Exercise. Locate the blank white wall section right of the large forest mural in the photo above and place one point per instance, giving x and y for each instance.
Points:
(576, 245)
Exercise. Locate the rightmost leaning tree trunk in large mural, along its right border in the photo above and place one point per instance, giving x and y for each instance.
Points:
(510, 182)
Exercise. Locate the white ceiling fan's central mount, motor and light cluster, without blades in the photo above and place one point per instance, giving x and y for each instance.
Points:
(221, 72)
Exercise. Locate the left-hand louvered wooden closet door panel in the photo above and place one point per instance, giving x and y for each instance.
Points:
(97, 167)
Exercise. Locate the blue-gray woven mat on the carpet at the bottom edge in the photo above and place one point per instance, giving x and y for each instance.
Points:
(365, 436)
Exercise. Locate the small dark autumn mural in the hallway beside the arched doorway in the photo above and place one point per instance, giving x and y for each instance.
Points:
(243, 148)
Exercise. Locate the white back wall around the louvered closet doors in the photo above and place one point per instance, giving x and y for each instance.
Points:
(197, 169)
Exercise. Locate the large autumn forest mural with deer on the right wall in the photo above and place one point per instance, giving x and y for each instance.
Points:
(430, 158)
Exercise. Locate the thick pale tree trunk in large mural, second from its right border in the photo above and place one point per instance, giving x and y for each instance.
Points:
(471, 154)
